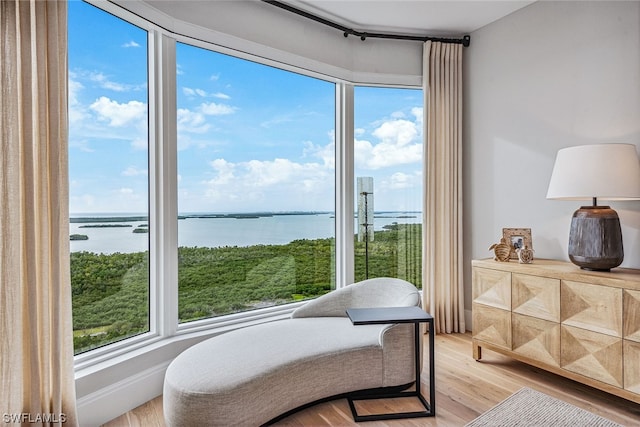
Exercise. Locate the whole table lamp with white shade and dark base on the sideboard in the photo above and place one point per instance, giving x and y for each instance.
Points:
(592, 172)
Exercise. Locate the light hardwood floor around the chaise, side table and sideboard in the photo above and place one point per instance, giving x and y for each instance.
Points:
(464, 389)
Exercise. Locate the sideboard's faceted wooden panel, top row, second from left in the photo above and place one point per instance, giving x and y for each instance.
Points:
(536, 296)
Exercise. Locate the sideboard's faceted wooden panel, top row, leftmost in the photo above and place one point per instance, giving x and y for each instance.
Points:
(492, 288)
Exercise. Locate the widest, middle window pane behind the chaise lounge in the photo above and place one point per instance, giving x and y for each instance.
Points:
(255, 185)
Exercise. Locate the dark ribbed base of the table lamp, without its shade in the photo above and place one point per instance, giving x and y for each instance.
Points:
(595, 239)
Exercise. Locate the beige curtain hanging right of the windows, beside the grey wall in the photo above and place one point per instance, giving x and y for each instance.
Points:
(442, 231)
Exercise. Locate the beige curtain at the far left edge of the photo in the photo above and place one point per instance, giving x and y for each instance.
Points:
(36, 360)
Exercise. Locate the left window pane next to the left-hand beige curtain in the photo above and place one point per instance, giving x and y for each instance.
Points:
(108, 163)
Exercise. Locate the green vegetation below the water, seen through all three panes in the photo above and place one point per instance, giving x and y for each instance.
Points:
(111, 291)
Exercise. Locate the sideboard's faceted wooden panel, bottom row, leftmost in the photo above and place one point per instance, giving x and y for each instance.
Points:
(492, 325)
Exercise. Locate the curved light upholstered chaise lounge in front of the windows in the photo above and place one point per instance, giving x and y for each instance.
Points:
(252, 375)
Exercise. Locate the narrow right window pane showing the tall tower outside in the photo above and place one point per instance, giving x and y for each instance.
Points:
(388, 188)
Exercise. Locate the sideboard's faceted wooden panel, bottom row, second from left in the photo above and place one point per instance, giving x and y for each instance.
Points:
(536, 339)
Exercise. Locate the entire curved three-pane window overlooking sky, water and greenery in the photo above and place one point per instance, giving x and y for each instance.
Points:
(254, 165)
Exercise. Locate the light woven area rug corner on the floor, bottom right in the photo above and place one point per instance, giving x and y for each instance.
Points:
(530, 408)
